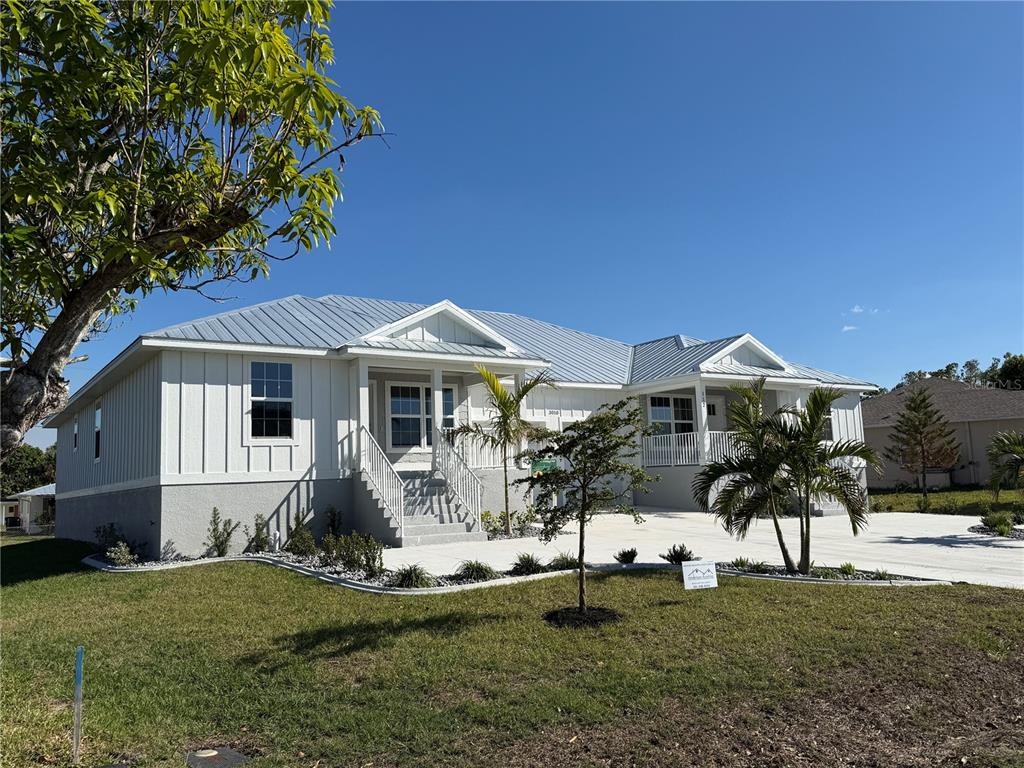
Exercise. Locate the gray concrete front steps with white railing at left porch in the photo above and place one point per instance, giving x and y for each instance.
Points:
(433, 515)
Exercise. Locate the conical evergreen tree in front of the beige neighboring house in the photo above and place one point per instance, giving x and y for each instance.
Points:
(922, 439)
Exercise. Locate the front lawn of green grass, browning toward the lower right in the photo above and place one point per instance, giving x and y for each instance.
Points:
(304, 674)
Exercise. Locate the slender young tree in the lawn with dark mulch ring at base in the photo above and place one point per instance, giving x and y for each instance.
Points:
(595, 472)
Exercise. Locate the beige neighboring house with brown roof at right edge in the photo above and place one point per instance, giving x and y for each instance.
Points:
(975, 413)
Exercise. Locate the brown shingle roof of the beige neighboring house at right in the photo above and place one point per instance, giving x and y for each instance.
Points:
(958, 402)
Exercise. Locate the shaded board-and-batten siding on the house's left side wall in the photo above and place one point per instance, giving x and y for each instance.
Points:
(130, 440)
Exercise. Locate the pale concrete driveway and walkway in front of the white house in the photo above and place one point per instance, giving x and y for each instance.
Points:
(910, 544)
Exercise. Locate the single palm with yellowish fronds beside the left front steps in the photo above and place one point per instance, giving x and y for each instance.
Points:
(507, 428)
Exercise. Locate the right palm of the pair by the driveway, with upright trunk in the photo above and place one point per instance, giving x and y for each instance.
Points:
(817, 468)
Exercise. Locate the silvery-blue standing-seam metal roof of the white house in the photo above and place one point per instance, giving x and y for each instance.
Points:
(332, 322)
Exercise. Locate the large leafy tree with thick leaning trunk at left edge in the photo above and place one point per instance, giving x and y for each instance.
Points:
(154, 146)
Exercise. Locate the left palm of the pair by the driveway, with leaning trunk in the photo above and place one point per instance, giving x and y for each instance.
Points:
(753, 482)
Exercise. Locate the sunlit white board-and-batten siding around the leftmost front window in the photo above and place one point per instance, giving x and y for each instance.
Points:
(205, 419)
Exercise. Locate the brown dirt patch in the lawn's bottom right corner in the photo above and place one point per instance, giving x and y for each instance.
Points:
(969, 714)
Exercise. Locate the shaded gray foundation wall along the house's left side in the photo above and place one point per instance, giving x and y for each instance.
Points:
(136, 513)
